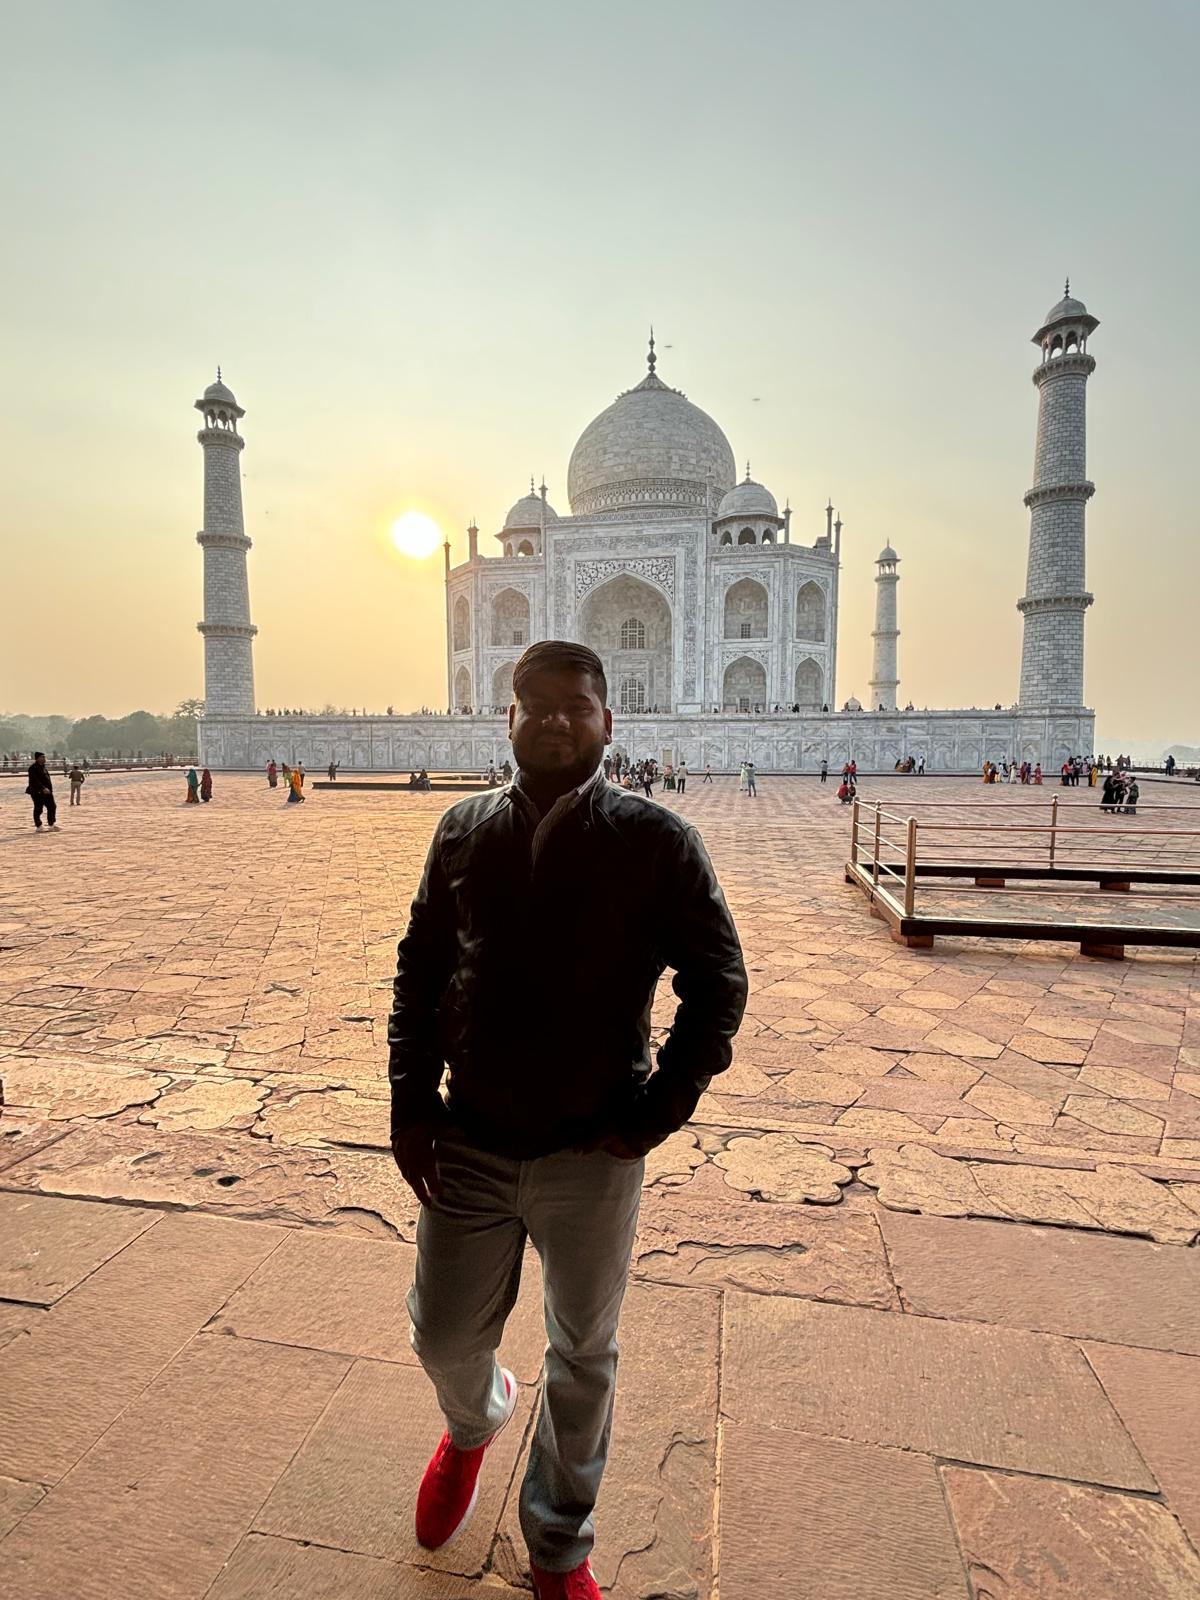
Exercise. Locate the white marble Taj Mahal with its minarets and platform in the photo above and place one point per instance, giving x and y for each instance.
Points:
(713, 610)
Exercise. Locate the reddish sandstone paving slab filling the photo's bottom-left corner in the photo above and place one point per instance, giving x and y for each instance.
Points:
(158, 1506)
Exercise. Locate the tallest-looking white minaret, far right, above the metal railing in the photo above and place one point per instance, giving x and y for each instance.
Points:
(1055, 601)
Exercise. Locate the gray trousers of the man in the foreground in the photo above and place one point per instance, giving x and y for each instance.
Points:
(580, 1214)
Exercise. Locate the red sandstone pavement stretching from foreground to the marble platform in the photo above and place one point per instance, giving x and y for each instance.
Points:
(916, 1298)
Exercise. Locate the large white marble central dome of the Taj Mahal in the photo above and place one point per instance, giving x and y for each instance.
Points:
(652, 447)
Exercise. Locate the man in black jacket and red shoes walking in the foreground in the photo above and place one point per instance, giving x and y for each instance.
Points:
(516, 934)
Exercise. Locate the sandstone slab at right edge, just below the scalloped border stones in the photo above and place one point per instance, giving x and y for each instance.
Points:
(1049, 1281)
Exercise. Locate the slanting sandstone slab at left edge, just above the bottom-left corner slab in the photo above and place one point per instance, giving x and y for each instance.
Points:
(89, 1358)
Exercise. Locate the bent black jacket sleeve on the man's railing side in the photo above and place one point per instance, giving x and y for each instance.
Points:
(702, 945)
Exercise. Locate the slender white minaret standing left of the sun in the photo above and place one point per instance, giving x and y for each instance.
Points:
(230, 665)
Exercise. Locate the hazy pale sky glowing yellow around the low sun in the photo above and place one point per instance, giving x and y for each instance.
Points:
(425, 244)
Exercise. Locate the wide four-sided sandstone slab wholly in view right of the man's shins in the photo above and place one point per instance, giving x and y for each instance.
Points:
(961, 1391)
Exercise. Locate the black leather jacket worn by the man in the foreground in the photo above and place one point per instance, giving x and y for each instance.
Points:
(534, 982)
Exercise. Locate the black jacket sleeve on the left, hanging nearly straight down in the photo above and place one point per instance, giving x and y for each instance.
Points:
(425, 967)
